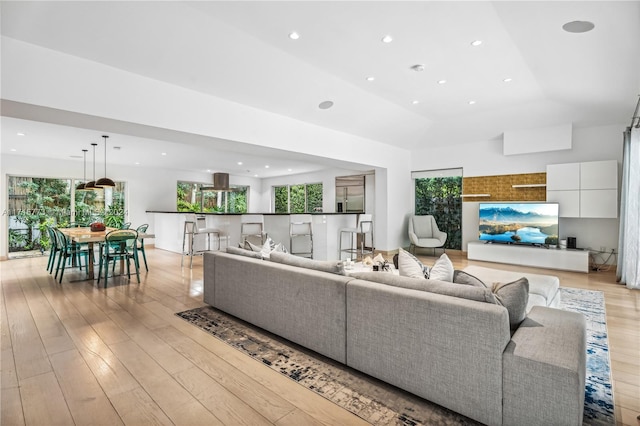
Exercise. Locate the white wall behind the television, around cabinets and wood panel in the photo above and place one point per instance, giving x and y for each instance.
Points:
(485, 158)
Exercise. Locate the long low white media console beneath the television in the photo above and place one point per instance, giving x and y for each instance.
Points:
(541, 257)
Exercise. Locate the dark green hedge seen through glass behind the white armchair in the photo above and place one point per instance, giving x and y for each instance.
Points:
(441, 198)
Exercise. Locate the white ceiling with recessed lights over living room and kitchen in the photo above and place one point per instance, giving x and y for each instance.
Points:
(241, 51)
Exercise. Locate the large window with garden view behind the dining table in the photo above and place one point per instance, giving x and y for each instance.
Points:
(35, 203)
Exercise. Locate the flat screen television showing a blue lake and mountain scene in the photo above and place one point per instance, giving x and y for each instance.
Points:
(519, 223)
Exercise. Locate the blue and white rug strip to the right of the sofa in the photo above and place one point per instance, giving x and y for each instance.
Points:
(598, 402)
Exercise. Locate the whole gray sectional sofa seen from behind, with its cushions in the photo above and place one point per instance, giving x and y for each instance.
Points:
(447, 345)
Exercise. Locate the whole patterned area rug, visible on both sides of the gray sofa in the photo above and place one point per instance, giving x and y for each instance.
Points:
(381, 404)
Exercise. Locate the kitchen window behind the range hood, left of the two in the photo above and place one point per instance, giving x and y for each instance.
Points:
(192, 197)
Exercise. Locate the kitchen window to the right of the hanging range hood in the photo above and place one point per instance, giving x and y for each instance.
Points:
(304, 198)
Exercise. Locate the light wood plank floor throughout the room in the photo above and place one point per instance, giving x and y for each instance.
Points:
(76, 354)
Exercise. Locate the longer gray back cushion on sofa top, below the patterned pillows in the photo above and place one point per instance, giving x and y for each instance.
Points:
(432, 286)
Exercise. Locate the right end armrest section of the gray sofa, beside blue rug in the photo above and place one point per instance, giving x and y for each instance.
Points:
(544, 369)
